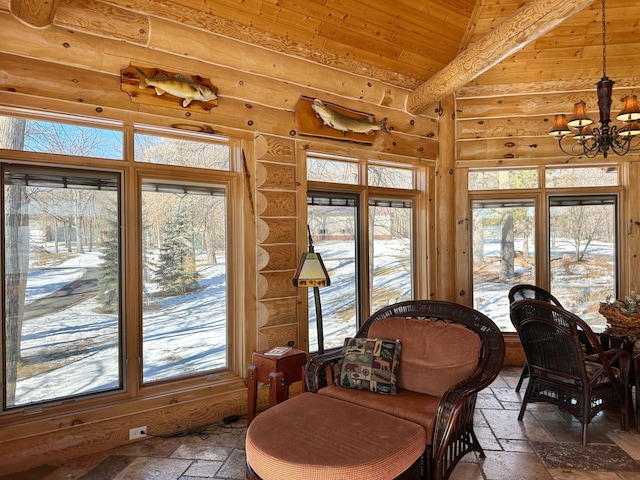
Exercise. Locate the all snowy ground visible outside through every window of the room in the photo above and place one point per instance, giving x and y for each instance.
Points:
(76, 350)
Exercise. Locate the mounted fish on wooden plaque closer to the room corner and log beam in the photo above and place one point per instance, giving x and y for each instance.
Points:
(318, 118)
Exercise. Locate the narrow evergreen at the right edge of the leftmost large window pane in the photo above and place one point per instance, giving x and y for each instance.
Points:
(108, 279)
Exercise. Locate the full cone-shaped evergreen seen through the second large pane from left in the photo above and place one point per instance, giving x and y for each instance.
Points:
(176, 272)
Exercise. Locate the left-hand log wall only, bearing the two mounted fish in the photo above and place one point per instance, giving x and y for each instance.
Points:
(73, 66)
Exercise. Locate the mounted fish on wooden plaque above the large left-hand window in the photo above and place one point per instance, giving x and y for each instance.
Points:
(153, 86)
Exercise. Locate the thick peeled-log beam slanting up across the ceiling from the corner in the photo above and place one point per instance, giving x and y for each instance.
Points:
(528, 23)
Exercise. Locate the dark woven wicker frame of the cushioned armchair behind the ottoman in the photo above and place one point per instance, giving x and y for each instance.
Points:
(453, 434)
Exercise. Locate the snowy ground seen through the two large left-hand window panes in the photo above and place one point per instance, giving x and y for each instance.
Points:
(75, 350)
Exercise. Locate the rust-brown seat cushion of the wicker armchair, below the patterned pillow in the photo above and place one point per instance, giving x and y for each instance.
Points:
(415, 407)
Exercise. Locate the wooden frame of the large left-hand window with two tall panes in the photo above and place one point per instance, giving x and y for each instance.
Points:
(133, 392)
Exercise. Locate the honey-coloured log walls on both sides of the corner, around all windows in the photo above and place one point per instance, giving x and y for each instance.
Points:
(73, 65)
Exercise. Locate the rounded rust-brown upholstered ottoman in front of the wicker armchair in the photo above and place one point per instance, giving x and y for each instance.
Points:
(313, 437)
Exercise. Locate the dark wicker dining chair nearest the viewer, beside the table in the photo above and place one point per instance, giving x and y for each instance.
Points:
(561, 372)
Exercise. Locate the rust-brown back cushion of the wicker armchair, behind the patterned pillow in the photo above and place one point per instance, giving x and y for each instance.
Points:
(435, 355)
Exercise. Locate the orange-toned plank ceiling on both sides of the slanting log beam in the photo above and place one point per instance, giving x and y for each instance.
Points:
(404, 42)
